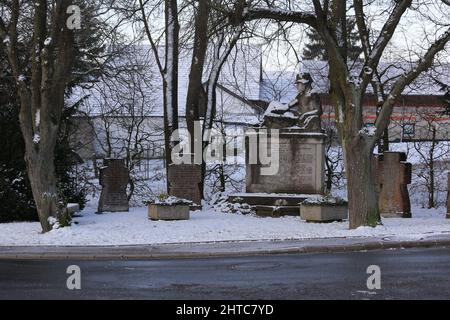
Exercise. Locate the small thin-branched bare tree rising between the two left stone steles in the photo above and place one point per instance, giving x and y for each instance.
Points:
(122, 104)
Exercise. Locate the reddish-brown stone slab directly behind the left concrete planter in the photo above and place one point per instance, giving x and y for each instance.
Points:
(185, 180)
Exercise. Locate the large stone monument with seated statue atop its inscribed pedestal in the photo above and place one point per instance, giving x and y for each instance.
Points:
(301, 147)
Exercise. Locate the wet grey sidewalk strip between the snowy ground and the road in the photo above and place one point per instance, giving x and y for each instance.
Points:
(217, 249)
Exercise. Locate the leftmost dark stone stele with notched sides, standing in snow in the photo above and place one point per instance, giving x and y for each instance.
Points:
(114, 178)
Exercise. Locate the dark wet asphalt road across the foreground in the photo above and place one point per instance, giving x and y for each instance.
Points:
(405, 274)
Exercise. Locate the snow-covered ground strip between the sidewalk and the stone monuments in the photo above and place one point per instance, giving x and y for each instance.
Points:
(134, 228)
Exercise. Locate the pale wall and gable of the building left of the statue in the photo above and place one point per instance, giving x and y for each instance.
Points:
(89, 137)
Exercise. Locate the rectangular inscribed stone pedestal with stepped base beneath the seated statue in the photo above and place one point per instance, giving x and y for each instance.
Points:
(300, 175)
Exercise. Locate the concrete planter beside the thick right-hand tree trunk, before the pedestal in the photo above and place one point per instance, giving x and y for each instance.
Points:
(323, 212)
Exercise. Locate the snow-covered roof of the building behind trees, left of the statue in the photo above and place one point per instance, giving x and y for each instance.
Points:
(241, 75)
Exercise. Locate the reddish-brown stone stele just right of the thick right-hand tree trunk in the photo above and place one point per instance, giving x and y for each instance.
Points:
(393, 174)
